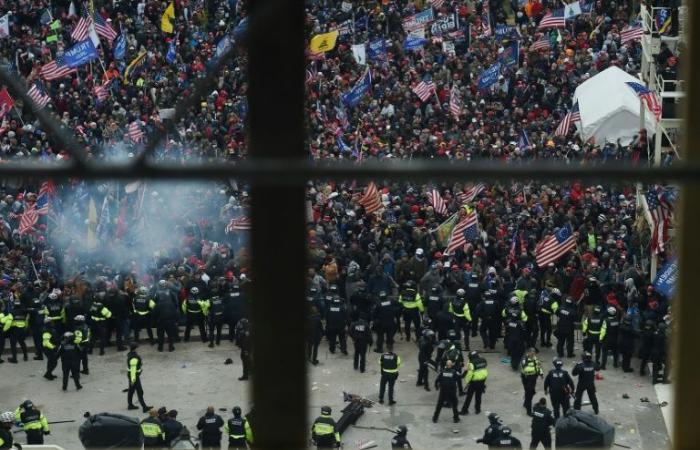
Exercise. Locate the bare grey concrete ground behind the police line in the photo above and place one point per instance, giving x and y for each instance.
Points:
(195, 376)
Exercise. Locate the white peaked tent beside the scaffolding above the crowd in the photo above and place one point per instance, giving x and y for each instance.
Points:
(610, 108)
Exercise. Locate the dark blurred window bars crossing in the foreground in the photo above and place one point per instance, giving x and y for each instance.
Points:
(276, 129)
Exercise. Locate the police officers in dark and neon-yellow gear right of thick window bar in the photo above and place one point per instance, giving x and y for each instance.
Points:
(444, 328)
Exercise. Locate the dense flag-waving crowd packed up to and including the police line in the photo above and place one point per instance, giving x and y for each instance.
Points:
(71, 298)
